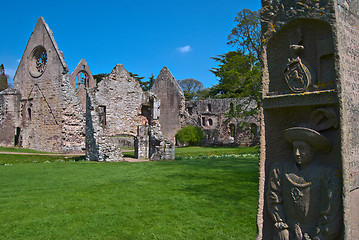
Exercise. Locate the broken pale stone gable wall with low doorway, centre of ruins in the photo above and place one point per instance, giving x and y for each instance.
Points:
(117, 107)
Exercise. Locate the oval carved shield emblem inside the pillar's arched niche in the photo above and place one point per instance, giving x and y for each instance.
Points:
(297, 75)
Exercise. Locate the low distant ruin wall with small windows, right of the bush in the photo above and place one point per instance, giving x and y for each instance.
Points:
(211, 116)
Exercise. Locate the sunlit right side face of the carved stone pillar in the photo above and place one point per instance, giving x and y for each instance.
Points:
(347, 32)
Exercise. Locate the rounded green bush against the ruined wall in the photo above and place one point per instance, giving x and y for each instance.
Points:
(190, 135)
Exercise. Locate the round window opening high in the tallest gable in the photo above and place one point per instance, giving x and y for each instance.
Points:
(38, 61)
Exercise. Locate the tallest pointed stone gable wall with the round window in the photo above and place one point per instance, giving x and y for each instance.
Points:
(47, 98)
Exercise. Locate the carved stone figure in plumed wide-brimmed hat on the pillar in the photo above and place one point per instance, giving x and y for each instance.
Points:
(304, 197)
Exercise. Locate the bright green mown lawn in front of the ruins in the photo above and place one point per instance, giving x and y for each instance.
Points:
(192, 198)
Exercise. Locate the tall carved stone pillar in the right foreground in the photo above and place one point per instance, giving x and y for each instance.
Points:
(309, 71)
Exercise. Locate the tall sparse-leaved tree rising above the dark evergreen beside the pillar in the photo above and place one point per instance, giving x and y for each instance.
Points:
(246, 35)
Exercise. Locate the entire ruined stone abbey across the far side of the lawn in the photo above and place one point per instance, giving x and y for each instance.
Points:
(50, 109)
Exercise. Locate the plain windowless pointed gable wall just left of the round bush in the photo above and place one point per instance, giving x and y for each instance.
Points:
(172, 98)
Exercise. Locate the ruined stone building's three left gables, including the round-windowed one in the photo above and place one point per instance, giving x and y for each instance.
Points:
(51, 110)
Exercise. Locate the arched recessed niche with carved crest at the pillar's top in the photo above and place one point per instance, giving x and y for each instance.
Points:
(301, 58)
